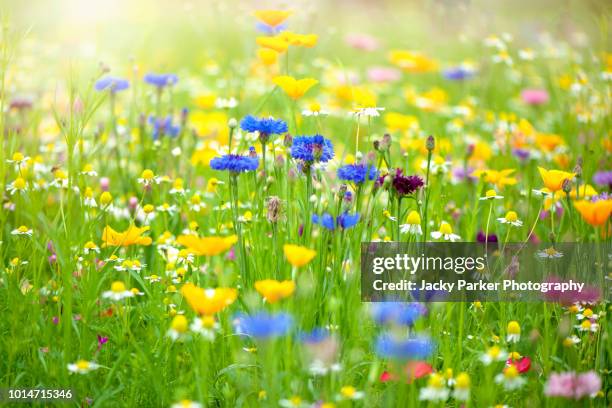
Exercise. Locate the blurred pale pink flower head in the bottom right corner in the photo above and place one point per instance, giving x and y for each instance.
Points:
(572, 385)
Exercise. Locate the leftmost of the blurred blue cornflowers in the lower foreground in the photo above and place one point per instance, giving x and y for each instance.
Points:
(263, 325)
